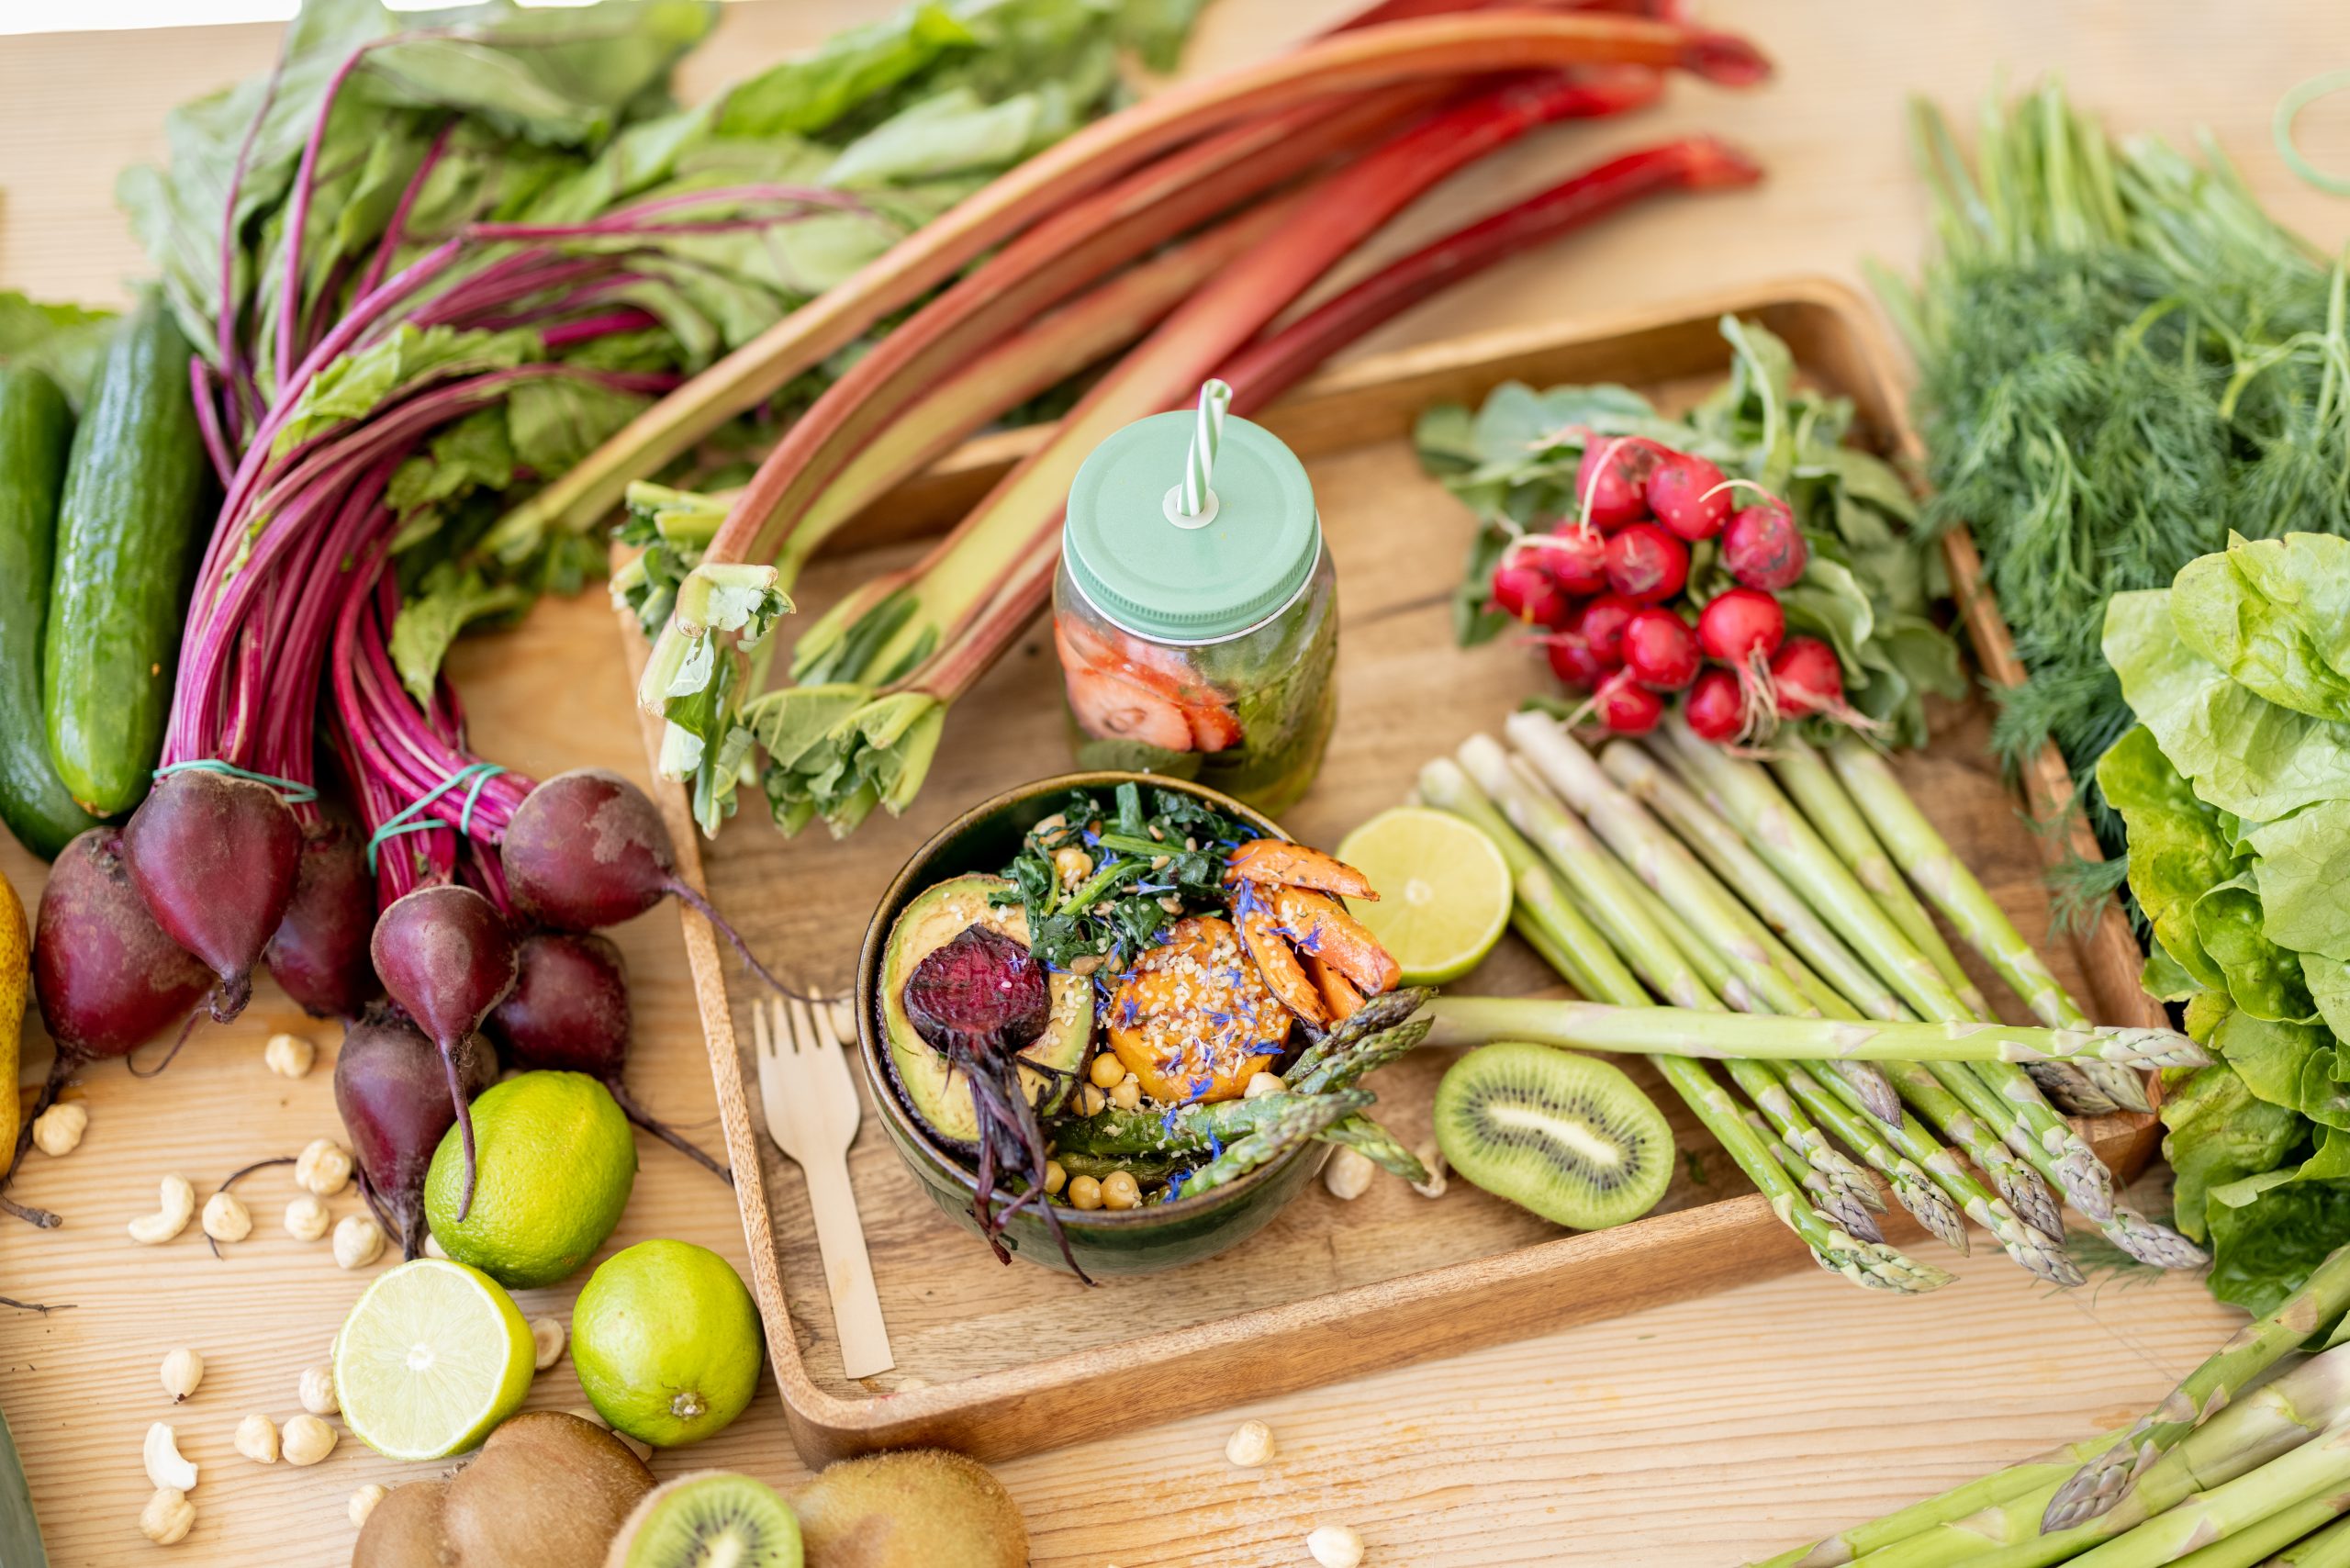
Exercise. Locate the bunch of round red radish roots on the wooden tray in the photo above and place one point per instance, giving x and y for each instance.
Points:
(1609, 591)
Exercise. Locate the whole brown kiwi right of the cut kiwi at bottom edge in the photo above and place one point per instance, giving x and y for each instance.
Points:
(920, 1508)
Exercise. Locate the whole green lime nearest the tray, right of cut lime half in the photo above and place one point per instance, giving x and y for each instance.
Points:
(666, 1341)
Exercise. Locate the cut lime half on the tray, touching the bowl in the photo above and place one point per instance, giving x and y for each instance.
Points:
(1444, 892)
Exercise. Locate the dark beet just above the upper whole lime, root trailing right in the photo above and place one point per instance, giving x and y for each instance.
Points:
(570, 1014)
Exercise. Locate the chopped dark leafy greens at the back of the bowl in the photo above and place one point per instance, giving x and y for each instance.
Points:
(1115, 911)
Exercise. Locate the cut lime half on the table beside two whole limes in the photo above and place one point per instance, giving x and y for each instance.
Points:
(431, 1360)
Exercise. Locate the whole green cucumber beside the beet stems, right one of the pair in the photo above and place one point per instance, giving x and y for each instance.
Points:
(135, 490)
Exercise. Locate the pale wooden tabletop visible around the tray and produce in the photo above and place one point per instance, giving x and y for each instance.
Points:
(1693, 1435)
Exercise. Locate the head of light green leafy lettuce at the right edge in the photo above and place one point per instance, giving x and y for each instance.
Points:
(2236, 791)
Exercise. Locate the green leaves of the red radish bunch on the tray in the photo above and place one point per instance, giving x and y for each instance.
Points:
(1869, 587)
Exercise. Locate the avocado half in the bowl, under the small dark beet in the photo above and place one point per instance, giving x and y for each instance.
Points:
(932, 1090)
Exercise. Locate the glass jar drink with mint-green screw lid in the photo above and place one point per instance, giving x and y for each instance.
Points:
(1197, 648)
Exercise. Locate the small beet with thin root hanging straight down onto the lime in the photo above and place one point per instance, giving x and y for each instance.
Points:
(445, 958)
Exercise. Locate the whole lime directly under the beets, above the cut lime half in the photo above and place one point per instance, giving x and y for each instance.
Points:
(556, 1165)
